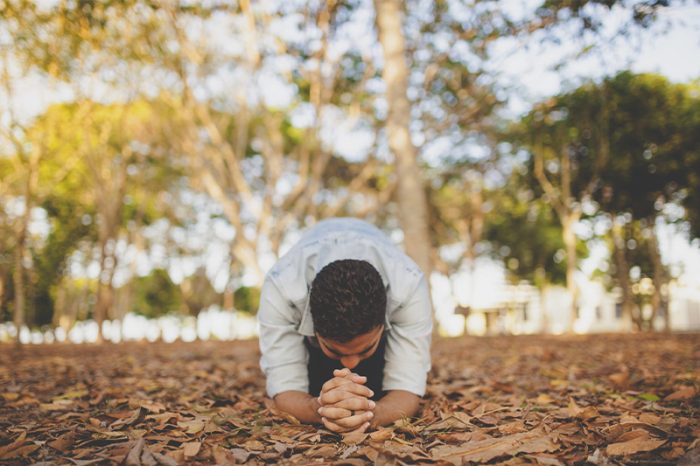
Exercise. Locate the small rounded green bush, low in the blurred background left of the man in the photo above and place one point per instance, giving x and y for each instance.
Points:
(156, 295)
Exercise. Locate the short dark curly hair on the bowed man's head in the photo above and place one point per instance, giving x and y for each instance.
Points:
(347, 299)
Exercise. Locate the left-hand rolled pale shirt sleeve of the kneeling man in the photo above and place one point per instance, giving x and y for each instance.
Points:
(284, 356)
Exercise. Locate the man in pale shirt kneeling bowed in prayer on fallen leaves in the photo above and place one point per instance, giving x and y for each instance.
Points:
(345, 326)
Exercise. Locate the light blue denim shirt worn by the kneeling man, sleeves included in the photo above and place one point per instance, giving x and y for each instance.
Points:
(285, 318)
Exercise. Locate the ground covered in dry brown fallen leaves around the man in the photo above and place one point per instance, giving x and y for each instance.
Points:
(613, 399)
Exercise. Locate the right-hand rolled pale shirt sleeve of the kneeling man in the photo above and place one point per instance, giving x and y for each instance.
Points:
(407, 359)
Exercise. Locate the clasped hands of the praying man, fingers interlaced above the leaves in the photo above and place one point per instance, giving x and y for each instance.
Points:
(345, 404)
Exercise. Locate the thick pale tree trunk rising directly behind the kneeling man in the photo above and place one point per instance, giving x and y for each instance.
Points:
(413, 210)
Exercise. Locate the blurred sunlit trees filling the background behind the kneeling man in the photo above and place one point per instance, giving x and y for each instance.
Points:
(167, 153)
